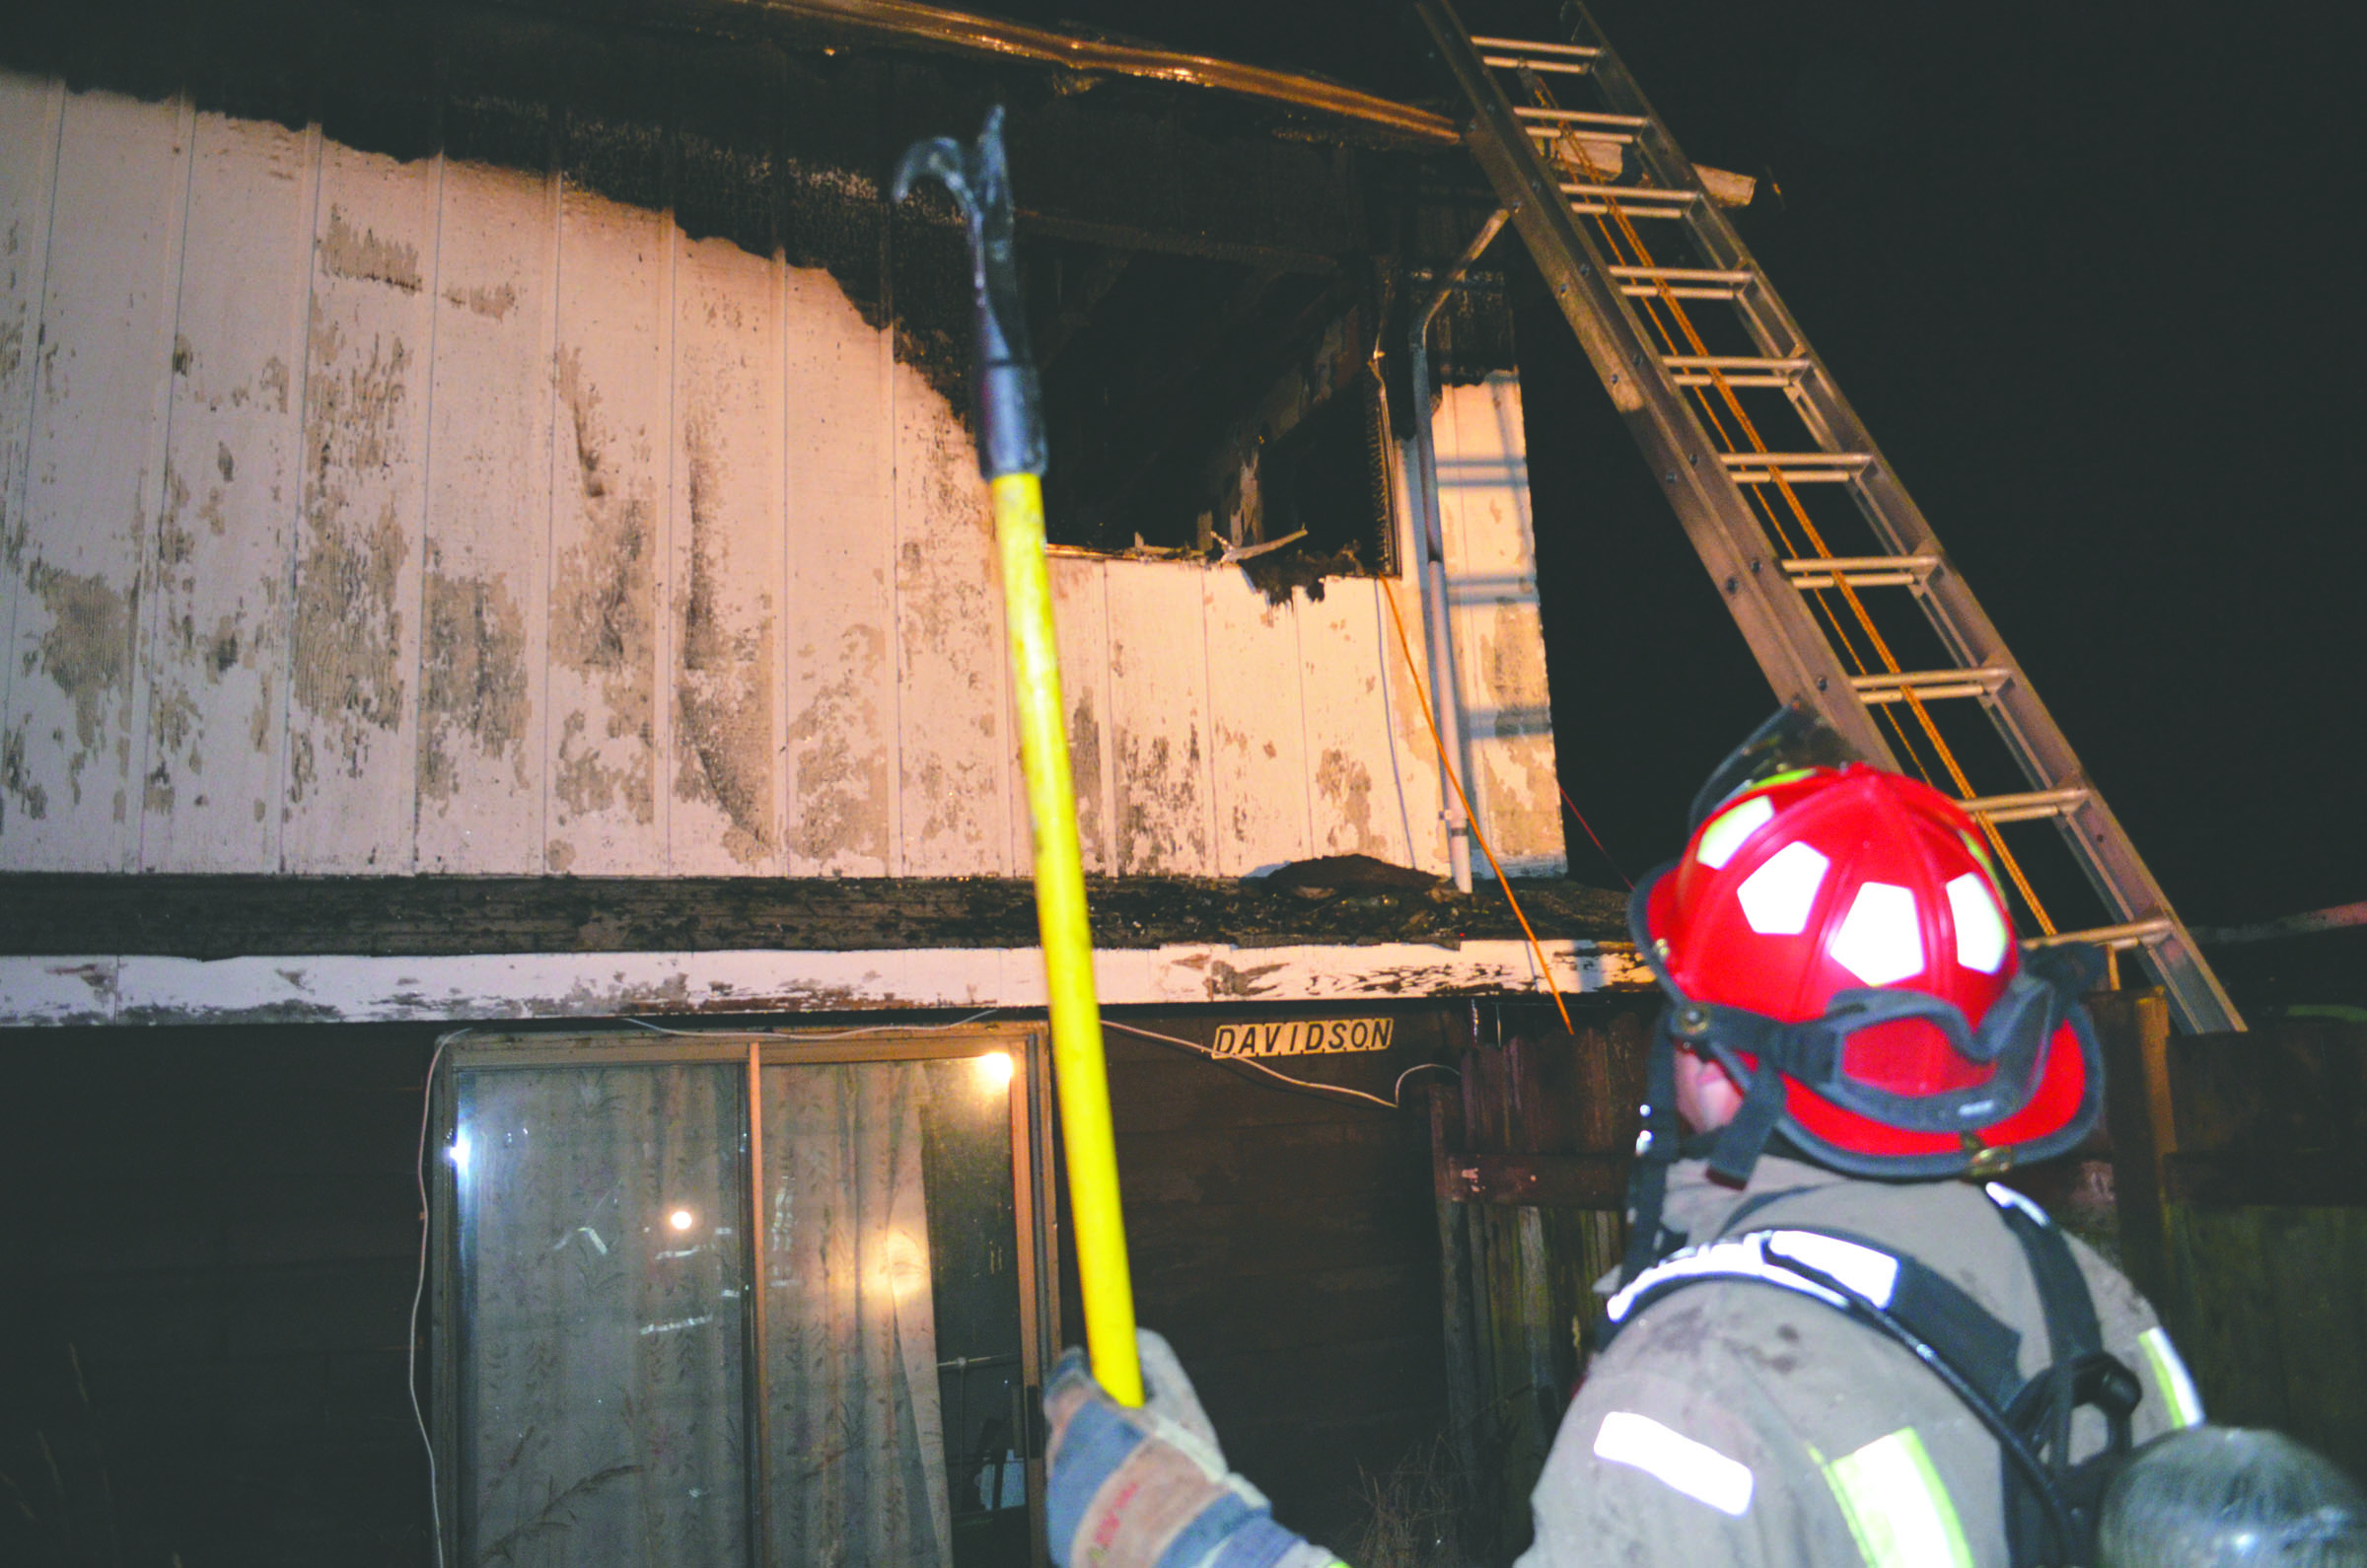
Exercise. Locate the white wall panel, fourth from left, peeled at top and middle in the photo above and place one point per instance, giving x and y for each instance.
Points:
(354, 648)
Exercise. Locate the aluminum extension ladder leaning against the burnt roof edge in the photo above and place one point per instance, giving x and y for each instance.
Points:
(1615, 162)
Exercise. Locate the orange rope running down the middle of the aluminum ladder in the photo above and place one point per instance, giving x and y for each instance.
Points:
(1642, 255)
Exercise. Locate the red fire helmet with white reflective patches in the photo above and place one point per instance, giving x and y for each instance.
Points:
(1845, 927)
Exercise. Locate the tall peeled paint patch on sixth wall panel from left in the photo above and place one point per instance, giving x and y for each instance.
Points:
(602, 615)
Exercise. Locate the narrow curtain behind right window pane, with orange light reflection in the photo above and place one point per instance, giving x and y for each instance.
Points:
(851, 1358)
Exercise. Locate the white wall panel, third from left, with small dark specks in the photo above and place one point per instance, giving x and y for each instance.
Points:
(221, 577)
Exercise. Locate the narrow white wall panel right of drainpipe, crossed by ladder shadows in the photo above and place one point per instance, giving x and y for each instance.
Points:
(1495, 612)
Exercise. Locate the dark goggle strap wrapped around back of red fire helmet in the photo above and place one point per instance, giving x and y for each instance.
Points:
(2013, 1039)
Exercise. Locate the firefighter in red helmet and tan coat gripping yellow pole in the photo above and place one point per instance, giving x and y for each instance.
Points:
(1836, 1339)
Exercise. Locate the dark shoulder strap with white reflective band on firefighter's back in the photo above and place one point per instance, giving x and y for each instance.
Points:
(2051, 1503)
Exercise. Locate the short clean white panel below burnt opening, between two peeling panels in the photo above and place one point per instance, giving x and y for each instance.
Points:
(1258, 743)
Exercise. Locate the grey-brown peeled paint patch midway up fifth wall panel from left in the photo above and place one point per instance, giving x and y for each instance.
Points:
(472, 681)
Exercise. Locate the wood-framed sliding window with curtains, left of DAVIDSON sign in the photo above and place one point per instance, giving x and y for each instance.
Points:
(742, 1299)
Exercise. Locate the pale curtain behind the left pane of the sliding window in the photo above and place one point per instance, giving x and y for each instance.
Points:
(602, 1316)
